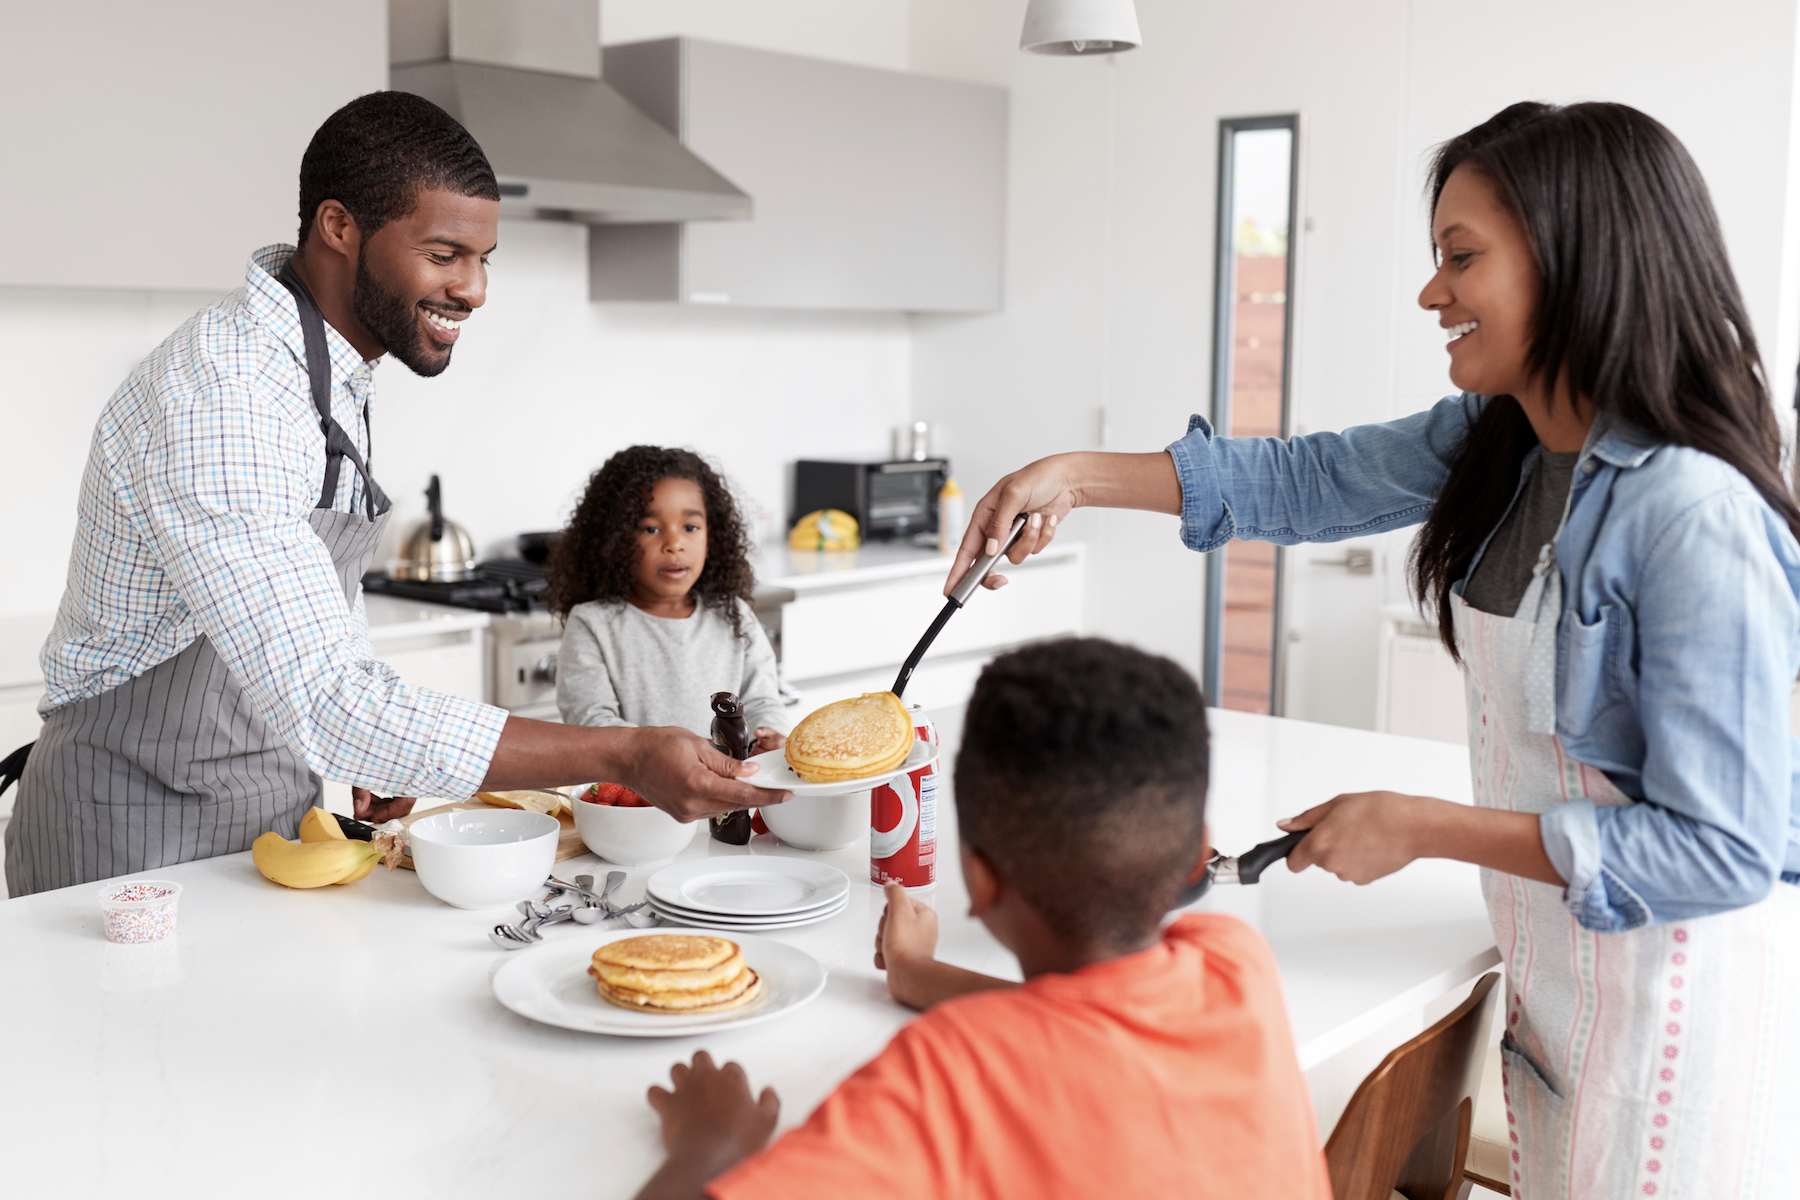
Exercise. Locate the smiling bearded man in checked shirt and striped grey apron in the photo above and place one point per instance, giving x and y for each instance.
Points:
(211, 659)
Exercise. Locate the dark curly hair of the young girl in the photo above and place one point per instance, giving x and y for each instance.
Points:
(597, 557)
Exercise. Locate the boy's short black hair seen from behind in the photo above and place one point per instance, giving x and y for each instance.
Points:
(1083, 782)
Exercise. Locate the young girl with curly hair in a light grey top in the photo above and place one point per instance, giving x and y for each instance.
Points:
(654, 582)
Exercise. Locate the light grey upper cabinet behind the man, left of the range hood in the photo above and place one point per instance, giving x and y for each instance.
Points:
(159, 145)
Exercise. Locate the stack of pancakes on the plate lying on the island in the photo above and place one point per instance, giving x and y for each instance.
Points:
(674, 974)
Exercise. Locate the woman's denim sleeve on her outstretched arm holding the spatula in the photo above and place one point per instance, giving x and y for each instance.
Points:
(1318, 487)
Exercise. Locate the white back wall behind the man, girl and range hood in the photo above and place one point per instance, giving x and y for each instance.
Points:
(544, 384)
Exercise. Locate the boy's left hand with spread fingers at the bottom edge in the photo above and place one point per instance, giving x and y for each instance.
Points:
(710, 1124)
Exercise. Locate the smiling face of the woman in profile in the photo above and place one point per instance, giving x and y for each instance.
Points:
(1486, 287)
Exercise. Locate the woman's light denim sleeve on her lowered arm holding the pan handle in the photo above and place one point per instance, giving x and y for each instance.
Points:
(1716, 623)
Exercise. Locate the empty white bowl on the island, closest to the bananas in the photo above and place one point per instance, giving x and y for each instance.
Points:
(487, 859)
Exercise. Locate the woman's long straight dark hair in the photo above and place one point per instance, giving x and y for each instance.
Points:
(1637, 303)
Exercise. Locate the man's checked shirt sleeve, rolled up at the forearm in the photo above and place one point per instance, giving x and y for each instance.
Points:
(226, 490)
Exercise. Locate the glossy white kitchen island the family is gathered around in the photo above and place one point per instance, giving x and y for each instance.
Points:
(346, 1043)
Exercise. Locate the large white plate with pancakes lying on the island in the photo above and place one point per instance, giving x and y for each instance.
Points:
(553, 985)
